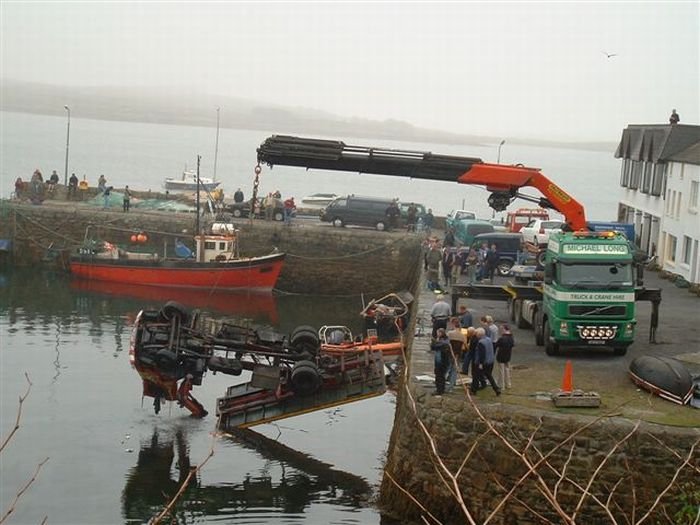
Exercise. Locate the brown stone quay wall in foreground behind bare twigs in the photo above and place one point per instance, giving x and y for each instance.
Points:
(627, 467)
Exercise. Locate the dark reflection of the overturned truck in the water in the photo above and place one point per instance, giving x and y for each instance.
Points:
(288, 482)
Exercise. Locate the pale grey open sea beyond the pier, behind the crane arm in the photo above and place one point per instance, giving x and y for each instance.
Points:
(143, 155)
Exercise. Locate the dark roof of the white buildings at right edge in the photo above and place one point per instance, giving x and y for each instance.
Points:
(660, 143)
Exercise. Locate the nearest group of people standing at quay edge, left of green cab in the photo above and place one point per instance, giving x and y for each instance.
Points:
(461, 348)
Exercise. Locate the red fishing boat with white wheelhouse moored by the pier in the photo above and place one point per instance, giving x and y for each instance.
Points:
(215, 265)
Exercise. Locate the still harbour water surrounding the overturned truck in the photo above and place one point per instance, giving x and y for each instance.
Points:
(112, 460)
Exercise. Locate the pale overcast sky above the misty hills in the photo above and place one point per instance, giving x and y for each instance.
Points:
(501, 69)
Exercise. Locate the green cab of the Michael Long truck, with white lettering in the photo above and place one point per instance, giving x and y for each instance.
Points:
(588, 294)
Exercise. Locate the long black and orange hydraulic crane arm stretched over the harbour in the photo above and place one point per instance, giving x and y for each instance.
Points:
(503, 181)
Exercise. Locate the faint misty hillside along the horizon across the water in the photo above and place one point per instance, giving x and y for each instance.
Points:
(165, 106)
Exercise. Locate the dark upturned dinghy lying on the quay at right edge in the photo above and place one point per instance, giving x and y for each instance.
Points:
(663, 376)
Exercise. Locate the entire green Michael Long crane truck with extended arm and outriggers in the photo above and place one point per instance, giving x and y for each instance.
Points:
(584, 291)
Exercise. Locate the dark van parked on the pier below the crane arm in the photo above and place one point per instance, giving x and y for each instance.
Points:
(357, 211)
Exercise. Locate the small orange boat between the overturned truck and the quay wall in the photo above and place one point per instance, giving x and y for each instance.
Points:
(385, 321)
